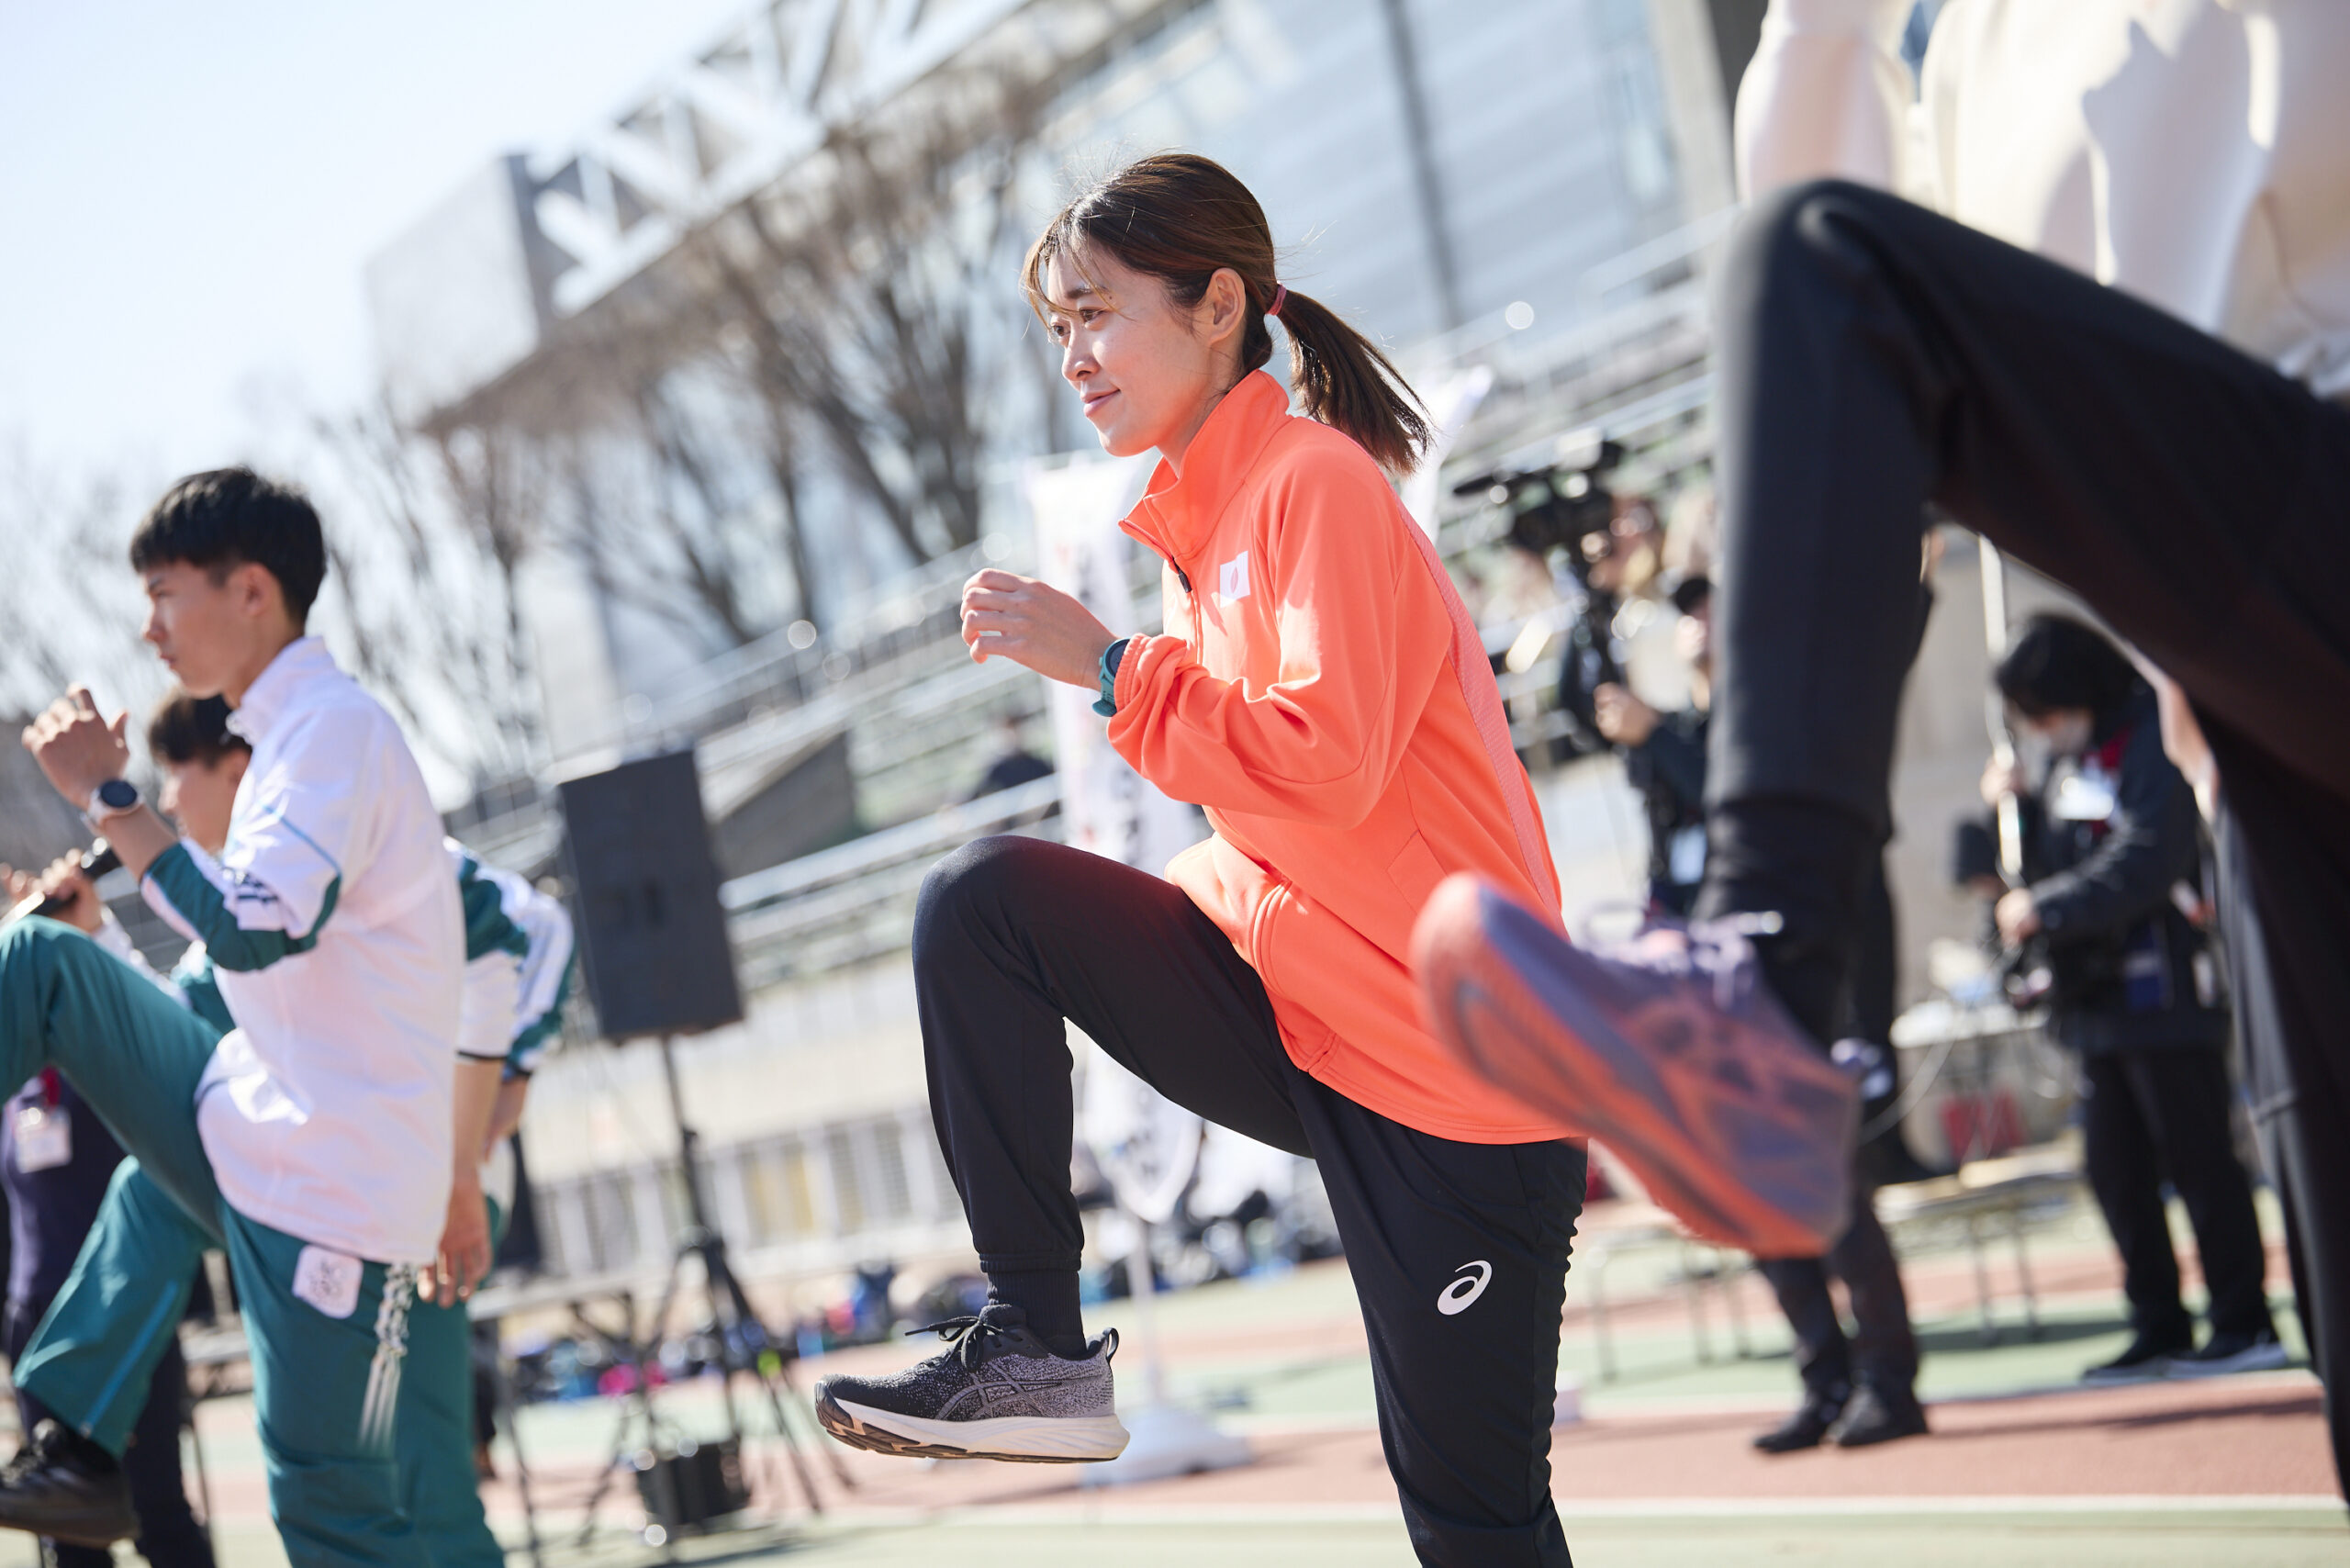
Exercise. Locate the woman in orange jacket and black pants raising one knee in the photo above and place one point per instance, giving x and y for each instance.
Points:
(1322, 692)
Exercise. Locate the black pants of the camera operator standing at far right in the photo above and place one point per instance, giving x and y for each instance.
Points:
(2163, 1115)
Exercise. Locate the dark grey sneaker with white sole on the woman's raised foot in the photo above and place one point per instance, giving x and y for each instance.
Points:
(998, 1393)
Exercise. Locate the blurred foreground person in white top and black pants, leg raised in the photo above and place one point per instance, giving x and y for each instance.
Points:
(2114, 335)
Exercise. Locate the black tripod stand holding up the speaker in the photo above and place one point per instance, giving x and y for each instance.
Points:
(741, 1339)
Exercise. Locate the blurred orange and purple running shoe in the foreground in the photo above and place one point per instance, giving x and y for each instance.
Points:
(1665, 1047)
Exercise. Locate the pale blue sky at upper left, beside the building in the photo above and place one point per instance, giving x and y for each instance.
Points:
(189, 192)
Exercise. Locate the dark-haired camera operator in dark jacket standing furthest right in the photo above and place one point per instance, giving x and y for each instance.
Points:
(2114, 864)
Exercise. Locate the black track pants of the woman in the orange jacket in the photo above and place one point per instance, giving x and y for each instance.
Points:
(1016, 937)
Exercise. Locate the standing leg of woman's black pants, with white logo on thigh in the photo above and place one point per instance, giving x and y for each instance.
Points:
(1461, 1261)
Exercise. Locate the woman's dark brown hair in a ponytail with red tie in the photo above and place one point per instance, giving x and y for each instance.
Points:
(1179, 217)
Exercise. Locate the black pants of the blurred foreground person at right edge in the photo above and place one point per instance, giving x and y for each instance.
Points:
(1876, 356)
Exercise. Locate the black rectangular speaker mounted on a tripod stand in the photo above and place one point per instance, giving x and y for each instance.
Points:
(647, 902)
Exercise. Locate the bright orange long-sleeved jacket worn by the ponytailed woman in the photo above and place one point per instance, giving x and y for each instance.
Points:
(1322, 692)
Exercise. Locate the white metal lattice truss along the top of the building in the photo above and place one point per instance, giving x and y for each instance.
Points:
(765, 98)
